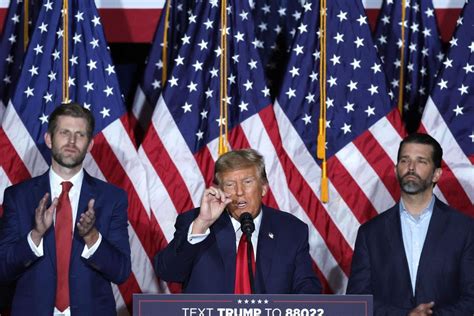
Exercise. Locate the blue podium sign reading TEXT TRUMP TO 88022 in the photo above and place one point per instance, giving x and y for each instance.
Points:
(251, 305)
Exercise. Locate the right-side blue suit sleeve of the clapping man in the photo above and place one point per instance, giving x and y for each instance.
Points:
(112, 258)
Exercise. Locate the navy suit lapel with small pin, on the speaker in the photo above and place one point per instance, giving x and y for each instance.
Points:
(266, 247)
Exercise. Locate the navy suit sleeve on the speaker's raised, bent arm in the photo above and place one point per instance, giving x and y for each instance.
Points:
(175, 262)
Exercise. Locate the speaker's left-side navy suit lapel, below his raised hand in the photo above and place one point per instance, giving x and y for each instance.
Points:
(225, 239)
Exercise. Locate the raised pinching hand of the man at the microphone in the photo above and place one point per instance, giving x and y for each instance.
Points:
(213, 203)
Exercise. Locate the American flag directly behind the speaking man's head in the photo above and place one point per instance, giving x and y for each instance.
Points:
(181, 144)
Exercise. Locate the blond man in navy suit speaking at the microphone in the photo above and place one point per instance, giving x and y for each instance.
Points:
(203, 253)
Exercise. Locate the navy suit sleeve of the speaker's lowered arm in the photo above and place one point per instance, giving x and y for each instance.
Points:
(305, 280)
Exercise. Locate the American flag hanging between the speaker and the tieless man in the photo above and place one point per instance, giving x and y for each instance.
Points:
(363, 131)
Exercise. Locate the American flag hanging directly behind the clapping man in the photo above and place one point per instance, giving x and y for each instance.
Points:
(92, 82)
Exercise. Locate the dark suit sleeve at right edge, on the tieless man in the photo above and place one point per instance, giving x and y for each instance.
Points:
(465, 304)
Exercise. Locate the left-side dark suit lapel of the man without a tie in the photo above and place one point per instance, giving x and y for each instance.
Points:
(394, 235)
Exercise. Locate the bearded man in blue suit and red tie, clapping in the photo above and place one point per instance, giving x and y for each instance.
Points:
(63, 235)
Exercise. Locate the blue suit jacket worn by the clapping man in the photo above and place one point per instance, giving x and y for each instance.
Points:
(89, 279)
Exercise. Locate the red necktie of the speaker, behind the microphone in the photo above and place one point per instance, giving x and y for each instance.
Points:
(242, 277)
